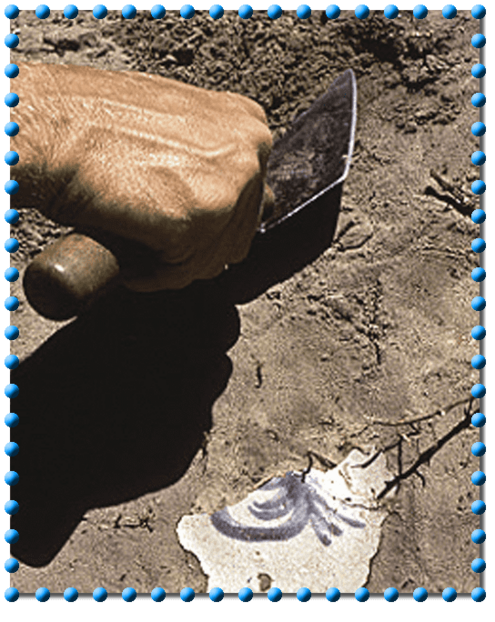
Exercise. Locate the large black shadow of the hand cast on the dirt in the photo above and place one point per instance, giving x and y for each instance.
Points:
(115, 406)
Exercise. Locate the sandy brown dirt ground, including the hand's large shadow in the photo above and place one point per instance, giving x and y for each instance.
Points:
(155, 406)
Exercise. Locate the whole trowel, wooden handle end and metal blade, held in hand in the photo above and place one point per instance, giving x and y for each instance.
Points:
(306, 163)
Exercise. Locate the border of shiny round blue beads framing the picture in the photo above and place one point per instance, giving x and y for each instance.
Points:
(479, 274)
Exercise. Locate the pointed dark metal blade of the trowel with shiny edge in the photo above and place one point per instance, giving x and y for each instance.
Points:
(314, 155)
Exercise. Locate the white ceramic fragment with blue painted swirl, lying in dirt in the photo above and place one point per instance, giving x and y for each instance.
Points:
(317, 532)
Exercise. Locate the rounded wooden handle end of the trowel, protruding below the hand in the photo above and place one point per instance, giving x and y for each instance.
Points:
(69, 275)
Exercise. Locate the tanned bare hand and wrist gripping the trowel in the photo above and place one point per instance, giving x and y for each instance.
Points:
(175, 167)
